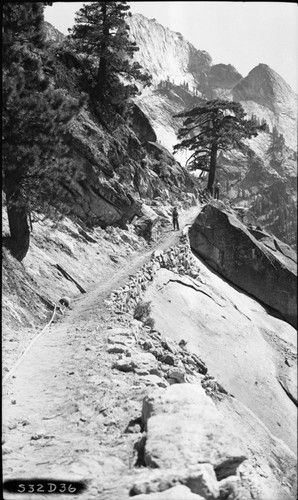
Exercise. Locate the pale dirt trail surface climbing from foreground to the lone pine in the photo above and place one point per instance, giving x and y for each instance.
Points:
(65, 410)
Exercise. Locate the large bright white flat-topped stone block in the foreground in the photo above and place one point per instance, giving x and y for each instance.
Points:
(185, 428)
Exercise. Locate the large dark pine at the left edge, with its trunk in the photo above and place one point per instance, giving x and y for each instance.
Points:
(34, 117)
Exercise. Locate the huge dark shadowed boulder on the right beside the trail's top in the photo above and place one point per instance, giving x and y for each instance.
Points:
(262, 269)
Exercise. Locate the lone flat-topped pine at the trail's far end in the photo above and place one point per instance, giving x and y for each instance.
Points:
(212, 127)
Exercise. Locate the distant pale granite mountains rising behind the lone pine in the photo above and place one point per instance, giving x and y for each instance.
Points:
(182, 75)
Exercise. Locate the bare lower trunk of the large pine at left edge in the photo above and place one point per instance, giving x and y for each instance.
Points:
(18, 225)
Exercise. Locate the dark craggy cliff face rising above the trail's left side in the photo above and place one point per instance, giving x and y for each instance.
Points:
(117, 166)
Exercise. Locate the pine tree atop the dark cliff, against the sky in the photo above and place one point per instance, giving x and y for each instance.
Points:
(101, 36)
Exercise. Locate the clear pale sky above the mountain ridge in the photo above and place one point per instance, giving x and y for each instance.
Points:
(243, 34)
